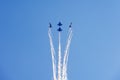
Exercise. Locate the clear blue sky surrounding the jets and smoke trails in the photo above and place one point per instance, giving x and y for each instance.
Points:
(24, 42)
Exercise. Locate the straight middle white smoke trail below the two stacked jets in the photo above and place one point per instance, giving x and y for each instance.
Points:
(59, 57)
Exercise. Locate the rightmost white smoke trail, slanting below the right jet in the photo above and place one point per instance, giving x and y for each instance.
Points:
(66, 54)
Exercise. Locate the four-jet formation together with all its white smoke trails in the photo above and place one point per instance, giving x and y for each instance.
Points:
(61, 72)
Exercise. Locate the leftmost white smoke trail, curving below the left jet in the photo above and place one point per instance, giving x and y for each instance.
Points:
(52, 54)
